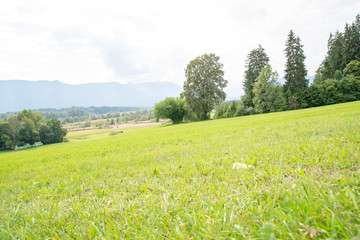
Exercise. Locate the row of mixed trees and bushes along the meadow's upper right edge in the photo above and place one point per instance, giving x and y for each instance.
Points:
(337, 80)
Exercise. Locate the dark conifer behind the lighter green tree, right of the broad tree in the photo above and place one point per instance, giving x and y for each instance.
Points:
(256, 60)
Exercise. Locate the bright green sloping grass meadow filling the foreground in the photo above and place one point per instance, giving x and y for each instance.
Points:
(177, 181)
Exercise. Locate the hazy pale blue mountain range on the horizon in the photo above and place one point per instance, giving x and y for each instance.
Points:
(16, 95)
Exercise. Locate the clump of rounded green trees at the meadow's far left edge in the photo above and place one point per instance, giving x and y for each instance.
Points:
(29, 128)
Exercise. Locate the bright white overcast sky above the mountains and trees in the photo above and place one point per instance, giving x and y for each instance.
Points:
(83, 41)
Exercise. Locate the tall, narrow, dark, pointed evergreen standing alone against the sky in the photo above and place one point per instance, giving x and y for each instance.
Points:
(295, 71)
